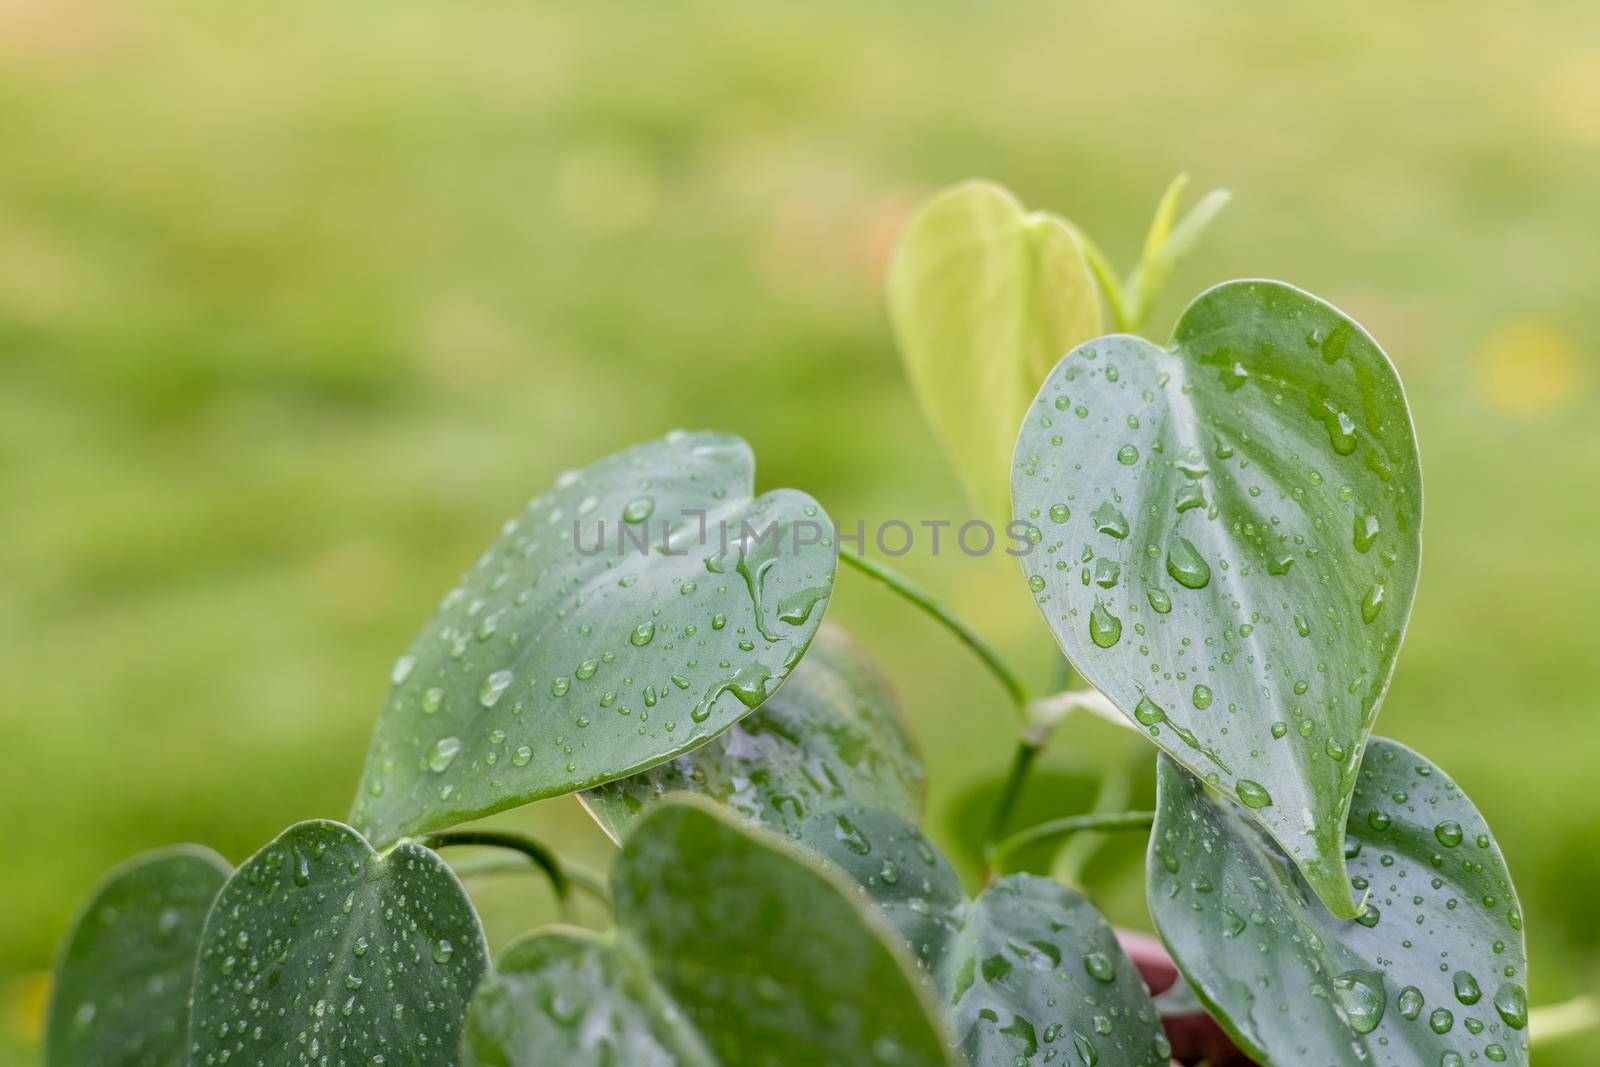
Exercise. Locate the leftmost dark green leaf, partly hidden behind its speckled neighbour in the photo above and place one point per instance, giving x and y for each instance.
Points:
(122, 985)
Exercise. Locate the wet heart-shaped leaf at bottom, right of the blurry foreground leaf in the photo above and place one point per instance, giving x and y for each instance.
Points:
(1028, 970)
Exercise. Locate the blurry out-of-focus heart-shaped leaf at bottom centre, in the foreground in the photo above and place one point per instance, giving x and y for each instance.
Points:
(734, 948)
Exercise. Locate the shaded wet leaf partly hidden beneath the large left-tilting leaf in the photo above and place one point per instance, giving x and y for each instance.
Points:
(833, 733)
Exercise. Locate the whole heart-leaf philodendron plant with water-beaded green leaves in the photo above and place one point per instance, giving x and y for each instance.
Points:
(1223, 535)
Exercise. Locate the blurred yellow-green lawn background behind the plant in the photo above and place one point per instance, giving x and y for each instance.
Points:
(298, 303)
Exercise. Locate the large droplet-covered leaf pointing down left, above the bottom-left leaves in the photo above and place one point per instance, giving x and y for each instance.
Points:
(569, 657)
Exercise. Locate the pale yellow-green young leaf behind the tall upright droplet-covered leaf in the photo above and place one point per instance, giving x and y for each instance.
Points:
(986, 297)
